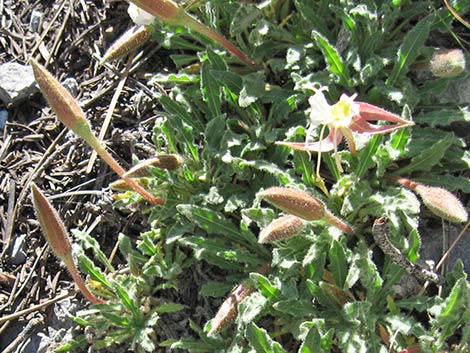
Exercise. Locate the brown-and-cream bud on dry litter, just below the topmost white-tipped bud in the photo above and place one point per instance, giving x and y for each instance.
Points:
(130, 40)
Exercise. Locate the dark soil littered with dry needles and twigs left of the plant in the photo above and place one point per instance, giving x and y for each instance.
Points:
(34, 146)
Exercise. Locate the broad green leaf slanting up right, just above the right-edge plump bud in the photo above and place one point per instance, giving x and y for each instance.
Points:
(429, 157)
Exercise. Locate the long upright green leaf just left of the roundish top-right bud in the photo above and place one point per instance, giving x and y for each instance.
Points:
(410, 49)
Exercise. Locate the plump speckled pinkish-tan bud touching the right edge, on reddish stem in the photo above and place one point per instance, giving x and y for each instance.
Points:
(442, 203)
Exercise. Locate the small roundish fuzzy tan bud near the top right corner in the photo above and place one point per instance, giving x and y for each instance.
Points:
(447, 63)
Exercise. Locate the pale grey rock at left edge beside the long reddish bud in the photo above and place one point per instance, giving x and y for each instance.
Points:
(16, 82)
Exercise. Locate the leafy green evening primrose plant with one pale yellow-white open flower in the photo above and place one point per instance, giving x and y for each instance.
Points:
(271, 262)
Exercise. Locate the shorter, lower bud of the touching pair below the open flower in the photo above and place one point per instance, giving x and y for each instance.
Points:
(281, 228)
